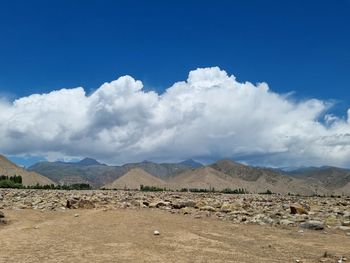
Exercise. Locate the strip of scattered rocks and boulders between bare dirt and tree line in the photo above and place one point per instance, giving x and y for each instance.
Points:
(276, 210)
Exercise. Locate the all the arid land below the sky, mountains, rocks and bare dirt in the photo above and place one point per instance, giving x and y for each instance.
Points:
(196, 211)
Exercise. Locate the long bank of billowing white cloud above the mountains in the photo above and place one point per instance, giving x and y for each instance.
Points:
(209, 116)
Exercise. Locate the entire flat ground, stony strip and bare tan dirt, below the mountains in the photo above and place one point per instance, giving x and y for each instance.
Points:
(274, 228)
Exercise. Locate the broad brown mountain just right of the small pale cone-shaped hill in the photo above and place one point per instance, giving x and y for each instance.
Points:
(228, 174)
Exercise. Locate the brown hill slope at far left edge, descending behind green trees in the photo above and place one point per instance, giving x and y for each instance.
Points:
(28, 178)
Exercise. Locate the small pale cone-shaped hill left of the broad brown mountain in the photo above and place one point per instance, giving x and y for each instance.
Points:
(134, 178)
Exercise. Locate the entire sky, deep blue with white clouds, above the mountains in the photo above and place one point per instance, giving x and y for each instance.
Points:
(262, 82)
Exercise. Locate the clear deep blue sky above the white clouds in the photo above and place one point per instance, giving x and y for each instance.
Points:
(294, 46)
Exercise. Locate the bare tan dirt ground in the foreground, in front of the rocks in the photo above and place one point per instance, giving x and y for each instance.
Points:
(126, 235)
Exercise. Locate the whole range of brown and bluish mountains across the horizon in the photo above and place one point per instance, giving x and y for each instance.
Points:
(187, 174)
